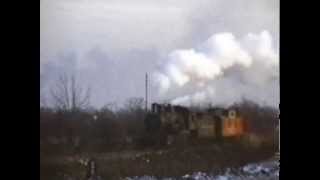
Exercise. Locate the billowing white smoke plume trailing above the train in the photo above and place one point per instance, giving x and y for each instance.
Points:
(221, 71)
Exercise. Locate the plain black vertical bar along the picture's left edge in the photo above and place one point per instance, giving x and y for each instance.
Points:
(20, 89)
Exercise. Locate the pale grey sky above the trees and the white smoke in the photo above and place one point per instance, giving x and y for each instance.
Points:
(111, 44)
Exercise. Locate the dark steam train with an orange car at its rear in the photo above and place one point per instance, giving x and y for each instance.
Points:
(214, 123)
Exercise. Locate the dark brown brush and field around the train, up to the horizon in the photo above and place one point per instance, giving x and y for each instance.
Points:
(122, 148)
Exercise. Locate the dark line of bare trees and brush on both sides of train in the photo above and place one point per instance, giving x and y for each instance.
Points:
(73, 126)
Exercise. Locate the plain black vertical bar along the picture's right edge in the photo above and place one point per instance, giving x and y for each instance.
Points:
(298, 90)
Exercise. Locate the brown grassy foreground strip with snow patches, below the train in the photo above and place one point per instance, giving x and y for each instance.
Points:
(200, 161)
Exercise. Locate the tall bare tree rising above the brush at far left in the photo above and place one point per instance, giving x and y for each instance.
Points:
(68, 95)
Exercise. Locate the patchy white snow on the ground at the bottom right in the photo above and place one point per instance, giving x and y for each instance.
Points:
(259, 171)
